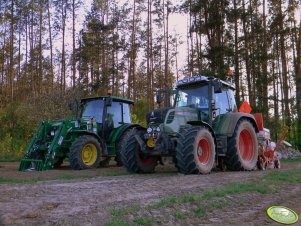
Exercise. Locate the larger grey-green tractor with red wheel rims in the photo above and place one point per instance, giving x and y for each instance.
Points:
(202, 129)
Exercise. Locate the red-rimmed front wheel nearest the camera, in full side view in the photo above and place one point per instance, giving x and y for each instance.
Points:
(195, 151)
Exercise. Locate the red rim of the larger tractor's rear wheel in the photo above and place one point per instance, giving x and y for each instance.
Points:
(246, 145)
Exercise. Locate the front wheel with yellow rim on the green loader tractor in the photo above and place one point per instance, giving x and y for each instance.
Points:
(85, 153)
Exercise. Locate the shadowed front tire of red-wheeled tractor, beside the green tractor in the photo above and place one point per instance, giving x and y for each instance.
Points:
(132, 156)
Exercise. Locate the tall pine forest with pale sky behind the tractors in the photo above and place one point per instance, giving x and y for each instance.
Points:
(130, 48)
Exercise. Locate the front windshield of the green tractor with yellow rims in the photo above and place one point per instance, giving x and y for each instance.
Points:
(93, 108)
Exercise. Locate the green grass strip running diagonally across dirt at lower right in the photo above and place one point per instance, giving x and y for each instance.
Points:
(210, 200)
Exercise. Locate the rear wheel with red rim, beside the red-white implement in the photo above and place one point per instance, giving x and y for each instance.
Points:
(242, 153)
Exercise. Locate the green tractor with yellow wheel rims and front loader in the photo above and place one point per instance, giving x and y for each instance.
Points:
(89, 141)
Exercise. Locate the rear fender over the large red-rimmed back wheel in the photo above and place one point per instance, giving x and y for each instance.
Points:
(225, 124)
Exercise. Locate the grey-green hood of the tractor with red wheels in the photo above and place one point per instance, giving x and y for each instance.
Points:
(179, 116)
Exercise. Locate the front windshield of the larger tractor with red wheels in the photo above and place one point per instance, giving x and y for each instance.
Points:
(193, 97)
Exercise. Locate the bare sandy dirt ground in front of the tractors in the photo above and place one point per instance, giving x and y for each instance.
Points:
(89, 201)
